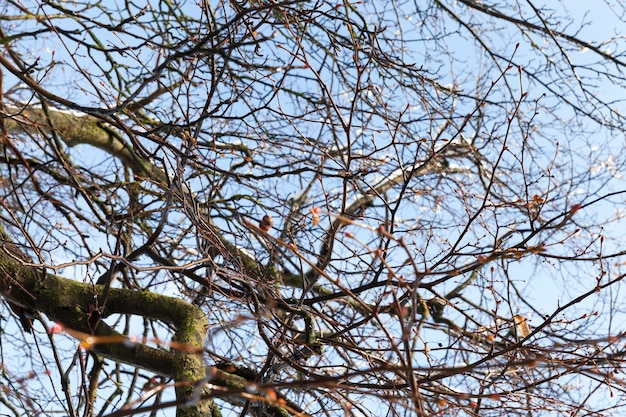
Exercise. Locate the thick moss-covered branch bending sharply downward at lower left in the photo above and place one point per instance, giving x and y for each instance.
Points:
(80, 307)
